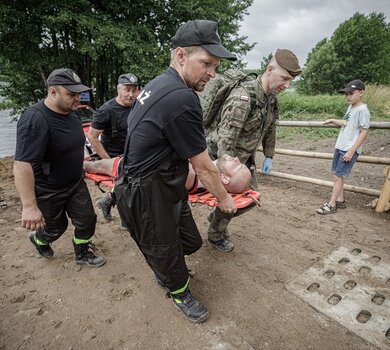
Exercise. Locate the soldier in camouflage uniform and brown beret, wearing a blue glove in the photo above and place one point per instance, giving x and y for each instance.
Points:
(248, 118)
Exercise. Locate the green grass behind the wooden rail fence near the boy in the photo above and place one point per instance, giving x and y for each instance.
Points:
(294, 106)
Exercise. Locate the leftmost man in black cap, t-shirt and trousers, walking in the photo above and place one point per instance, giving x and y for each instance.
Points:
(48, 170)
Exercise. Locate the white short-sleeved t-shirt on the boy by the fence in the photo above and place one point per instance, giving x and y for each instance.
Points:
(356, 118)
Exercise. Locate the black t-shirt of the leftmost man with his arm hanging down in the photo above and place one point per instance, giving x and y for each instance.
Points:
(53, 144)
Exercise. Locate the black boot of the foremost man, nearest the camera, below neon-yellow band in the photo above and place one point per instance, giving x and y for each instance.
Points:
(191, 308)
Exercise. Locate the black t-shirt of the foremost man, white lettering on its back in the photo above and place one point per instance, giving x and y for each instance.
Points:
(173, 127)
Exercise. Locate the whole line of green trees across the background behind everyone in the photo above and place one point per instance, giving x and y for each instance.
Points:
(102, 39)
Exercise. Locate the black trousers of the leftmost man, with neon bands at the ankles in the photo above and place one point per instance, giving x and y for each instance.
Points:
(56, 203)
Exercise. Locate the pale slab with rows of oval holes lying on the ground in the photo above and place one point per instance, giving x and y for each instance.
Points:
(352, 286)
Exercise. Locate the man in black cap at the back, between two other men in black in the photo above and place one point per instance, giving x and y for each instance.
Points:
(110, 120)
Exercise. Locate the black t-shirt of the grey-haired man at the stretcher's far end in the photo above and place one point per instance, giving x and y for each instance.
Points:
(109, 114)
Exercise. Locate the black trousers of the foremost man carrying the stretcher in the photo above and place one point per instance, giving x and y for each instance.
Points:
(156, 212)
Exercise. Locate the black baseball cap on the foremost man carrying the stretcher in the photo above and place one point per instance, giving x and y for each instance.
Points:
(204, 33)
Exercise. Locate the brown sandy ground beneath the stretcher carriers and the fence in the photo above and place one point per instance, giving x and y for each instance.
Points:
(58, 305)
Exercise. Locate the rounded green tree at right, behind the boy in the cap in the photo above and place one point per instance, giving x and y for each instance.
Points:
(358, 49)
